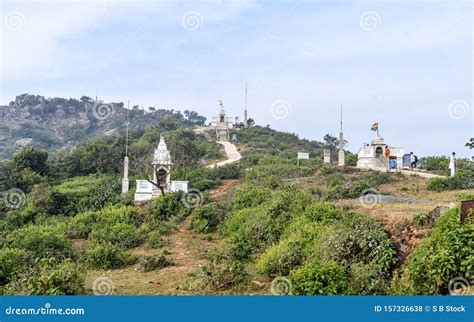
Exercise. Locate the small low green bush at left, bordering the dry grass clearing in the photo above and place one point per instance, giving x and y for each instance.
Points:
(107, 256)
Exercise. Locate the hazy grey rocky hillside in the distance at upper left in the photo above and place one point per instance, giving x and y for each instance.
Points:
(59, 123)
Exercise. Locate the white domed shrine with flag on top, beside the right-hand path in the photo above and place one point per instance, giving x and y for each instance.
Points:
(372, 156)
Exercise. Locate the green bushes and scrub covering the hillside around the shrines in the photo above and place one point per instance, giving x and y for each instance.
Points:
(269, 218)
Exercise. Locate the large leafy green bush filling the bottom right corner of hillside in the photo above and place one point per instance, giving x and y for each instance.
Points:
(444, 255)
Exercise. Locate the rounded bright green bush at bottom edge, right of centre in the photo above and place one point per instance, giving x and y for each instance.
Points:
(319, 279)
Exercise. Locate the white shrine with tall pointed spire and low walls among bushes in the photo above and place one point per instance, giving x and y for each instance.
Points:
(162, 164)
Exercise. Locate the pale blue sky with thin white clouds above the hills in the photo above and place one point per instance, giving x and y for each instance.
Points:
(407, 65)
